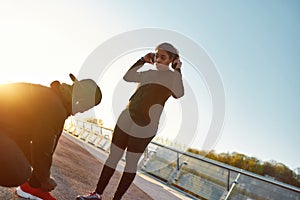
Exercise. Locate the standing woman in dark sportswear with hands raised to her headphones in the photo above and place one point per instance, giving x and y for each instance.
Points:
(138, 123)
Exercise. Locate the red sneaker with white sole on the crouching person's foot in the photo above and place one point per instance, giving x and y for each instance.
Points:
(28, 192)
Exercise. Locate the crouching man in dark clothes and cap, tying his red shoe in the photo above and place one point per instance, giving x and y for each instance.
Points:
(32, 118)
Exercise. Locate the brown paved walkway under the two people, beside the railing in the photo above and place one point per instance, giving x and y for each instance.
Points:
(76, 168)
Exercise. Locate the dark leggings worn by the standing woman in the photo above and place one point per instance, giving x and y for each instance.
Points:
(135, 148)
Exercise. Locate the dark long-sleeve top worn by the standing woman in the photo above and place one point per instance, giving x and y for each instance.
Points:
(154, 89)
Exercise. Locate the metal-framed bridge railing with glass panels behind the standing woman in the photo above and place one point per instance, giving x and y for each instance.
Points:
(191, 174)
